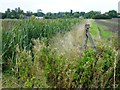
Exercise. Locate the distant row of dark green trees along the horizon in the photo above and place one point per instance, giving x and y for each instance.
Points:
(17, 13)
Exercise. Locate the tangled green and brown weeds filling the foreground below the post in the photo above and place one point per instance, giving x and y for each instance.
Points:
(93, 70)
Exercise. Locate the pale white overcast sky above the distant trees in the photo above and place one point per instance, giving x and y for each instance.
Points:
(60, 5)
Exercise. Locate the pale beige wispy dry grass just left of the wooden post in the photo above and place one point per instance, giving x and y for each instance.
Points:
(71, 42)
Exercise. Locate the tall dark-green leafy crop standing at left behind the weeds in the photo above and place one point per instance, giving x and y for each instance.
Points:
(21, 32)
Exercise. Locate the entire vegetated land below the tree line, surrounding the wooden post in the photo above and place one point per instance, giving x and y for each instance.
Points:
(47, 53)
